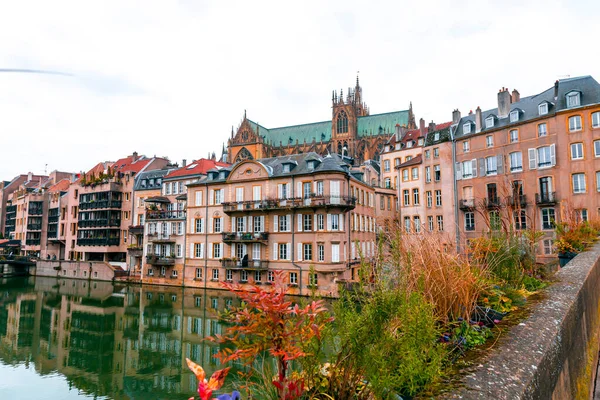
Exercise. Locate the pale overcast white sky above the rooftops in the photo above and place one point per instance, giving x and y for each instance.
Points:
(170, 78)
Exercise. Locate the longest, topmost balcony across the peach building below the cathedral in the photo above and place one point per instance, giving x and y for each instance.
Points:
(346, 202)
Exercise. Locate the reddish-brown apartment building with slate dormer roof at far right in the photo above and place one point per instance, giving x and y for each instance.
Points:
(530, 161)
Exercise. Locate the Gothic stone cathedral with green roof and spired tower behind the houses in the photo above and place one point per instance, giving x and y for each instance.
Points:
(352, 131)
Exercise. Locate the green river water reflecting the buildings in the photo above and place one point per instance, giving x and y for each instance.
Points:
(73, 339)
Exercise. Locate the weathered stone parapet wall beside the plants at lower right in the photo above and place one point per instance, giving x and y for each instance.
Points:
(552, 354)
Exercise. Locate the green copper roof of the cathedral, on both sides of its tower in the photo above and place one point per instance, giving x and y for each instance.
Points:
(371, 125)
